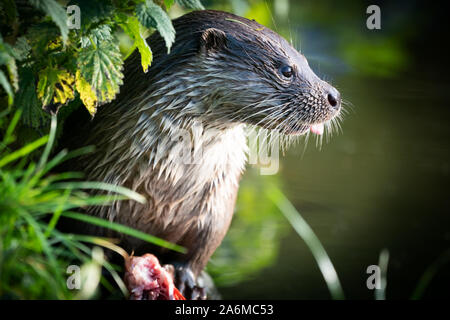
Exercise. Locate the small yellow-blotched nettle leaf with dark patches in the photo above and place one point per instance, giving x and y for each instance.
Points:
(55, 86)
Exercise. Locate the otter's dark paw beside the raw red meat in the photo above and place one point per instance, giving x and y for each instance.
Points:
(186, 283)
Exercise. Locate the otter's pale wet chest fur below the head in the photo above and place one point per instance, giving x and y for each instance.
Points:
(191, 190)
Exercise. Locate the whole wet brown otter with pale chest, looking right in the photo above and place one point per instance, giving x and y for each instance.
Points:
(223, 72)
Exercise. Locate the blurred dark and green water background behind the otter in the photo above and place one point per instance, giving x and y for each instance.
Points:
(382, 183)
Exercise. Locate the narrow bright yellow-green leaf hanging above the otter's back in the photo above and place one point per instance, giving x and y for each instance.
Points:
(132, 27)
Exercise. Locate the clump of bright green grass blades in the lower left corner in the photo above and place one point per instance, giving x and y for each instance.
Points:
(34, 255)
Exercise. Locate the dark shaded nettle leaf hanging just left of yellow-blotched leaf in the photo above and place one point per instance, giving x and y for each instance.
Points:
(28, 102)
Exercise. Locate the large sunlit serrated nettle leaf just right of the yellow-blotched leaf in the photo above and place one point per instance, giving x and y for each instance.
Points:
(101, 66)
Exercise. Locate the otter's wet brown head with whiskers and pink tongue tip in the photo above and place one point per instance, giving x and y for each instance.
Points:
(252, 75)
